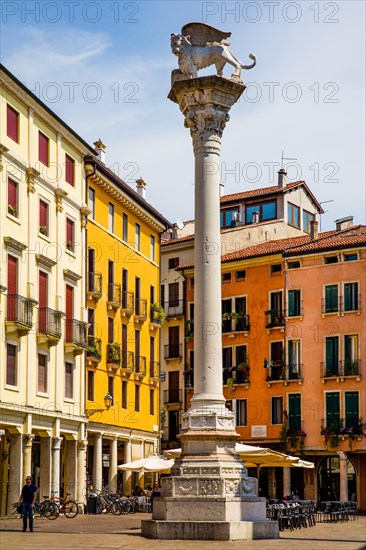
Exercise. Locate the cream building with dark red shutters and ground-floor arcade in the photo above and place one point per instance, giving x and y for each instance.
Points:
(42, 315)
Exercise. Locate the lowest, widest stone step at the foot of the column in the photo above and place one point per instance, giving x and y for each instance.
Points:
(209, 530)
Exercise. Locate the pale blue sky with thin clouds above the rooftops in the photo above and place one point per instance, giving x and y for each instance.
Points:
(104, 67)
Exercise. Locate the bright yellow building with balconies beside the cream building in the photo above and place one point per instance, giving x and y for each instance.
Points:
(123, 353)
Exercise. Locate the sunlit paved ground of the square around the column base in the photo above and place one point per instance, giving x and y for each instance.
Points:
(113, 532)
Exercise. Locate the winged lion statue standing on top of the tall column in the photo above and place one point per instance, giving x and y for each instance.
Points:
(200, 45)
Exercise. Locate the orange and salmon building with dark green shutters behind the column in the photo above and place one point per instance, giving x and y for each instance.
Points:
(293, 343)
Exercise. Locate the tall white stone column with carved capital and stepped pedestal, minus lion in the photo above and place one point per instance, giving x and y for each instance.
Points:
(209, 495)
